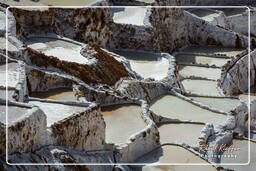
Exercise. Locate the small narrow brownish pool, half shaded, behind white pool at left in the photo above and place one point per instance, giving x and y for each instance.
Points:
(55, 94)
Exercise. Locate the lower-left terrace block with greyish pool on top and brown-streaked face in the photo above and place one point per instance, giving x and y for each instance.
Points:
(24, 129)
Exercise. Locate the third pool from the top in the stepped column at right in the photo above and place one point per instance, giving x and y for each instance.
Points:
(211, 73)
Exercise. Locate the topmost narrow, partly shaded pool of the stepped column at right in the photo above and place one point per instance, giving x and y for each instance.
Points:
(213, 50)
